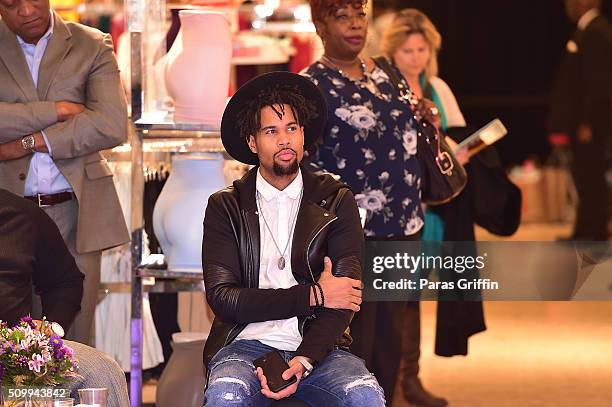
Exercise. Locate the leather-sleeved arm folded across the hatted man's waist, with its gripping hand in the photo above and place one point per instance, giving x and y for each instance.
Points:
(231, 301)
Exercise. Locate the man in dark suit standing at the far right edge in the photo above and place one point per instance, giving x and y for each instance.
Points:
(582, 109)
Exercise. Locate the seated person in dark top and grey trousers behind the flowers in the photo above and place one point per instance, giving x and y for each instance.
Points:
(33, 253)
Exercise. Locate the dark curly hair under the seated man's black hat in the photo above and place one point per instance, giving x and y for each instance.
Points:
(249, 118)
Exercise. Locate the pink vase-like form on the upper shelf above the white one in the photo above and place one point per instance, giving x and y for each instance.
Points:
(198, 67)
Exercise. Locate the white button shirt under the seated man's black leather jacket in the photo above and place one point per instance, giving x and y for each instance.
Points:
(280, 209)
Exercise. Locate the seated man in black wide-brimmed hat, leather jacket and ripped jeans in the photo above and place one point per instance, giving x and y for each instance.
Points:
(266, 240)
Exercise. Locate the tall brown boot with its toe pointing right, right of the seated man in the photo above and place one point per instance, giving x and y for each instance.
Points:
(411, 351)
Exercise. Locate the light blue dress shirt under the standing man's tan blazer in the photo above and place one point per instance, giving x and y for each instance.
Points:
(43, 175)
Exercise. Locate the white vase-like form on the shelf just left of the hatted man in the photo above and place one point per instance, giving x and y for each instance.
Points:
(179, 211)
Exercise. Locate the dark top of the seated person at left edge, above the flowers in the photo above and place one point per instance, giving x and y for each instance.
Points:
(33, 253)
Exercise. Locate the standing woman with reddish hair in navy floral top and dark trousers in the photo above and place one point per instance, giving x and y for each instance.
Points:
(371, 143)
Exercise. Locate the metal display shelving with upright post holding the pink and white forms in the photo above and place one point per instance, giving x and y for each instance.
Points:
(154, 131)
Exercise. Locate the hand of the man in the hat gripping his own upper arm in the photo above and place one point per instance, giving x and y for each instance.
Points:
(339, 292)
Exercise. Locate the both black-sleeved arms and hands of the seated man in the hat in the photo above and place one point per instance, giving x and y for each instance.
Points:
(342, 289)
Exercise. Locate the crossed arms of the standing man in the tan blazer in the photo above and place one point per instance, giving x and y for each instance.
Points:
(72, 129)
